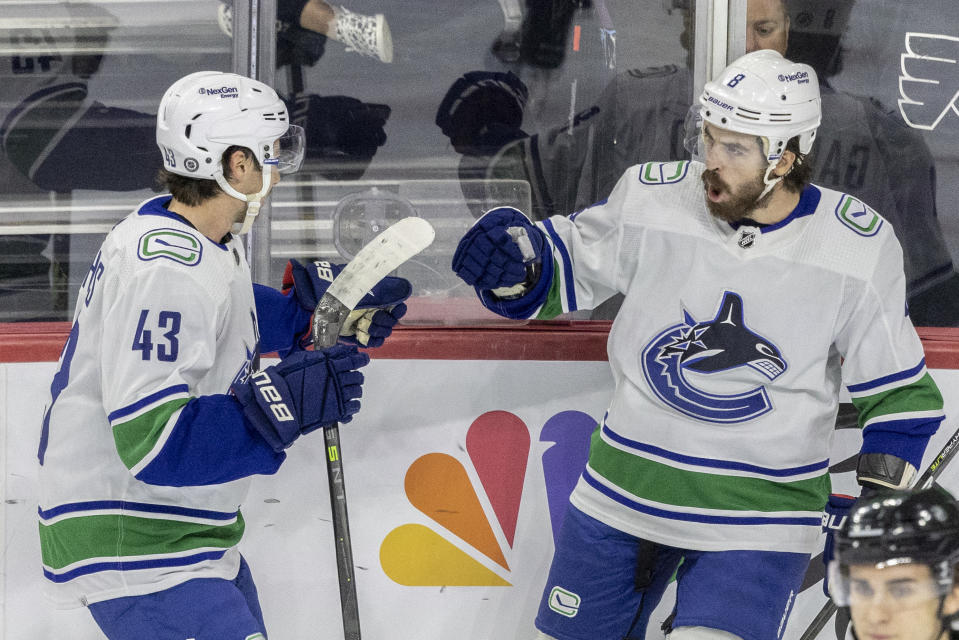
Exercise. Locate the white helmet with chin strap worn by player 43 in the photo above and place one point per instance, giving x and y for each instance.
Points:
(203, 114)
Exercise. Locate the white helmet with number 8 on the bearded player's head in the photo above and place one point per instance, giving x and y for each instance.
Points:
(766, 95)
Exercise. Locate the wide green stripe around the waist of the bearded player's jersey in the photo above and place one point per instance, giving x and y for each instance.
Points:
(660, 482)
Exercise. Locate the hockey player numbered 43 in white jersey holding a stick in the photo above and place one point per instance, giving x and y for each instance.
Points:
(145, 453)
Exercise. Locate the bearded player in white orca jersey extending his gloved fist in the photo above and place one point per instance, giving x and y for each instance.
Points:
(745, 289)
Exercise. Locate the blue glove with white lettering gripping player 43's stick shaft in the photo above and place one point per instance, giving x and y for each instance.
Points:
(302, 393)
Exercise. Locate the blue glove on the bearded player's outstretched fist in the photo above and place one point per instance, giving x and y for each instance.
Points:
(488, 255)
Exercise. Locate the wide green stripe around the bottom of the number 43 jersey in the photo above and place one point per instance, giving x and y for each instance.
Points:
(73, 540)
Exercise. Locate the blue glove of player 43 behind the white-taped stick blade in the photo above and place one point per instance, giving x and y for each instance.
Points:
(374, 317)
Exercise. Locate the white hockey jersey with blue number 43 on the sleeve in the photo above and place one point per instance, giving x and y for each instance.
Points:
(131, 497)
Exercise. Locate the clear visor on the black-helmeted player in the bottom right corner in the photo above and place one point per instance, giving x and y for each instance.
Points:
(874, 585)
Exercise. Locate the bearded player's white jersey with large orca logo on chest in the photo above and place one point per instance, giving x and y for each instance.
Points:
(728, 354)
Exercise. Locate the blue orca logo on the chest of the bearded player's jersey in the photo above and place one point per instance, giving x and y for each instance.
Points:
(711, 347)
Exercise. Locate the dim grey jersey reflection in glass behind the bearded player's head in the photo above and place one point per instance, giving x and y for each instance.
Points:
(861, 149)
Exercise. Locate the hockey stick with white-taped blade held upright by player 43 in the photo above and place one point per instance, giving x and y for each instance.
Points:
(372, 263)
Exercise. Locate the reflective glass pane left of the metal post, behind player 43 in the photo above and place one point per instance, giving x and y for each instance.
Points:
(78, 86)
